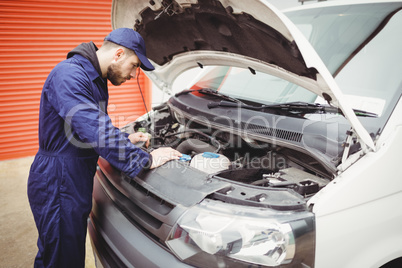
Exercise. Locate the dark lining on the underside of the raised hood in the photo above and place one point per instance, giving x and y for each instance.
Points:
(210, 26)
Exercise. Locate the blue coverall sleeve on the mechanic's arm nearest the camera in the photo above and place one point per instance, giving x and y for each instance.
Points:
(88, 126)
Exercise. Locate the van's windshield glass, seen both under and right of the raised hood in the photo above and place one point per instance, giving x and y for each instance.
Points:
(360, 45)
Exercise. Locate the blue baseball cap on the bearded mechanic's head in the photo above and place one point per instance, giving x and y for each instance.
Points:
(131, 39)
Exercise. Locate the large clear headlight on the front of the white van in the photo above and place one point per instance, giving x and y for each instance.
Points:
(215, 234)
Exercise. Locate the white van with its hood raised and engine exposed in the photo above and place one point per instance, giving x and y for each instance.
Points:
(290, 133)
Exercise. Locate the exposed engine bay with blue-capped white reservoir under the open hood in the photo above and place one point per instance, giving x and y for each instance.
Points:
(221, 154)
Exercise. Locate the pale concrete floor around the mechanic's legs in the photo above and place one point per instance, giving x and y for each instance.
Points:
(18, 233)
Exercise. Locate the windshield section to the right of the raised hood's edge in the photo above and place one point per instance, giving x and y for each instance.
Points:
(360, 45)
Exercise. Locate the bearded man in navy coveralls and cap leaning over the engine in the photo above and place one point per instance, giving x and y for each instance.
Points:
(74, 130)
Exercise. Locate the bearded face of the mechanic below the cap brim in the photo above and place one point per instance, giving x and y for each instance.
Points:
(124, 68)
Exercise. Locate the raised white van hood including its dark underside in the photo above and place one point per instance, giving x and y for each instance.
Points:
(183, 34)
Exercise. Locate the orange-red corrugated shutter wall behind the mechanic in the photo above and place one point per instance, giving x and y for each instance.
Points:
(34, 37)
